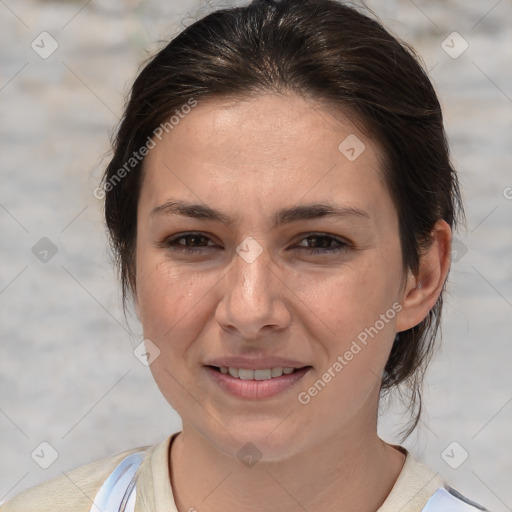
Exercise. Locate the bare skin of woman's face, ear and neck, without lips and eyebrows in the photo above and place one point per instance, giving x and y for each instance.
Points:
(249, 159)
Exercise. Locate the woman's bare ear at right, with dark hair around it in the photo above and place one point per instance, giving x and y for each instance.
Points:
(422, 290)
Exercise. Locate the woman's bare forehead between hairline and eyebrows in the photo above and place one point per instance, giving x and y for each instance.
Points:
(263, 151)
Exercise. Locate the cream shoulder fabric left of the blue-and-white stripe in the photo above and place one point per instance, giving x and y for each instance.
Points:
(73, 490)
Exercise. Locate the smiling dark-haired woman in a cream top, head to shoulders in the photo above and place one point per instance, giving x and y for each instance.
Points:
(281, 203)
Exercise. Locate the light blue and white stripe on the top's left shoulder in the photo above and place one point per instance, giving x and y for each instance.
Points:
(117, 494)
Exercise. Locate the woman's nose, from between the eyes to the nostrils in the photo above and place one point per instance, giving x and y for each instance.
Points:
(254, 298)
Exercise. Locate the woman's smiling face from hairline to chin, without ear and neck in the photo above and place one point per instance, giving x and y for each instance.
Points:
(280, 280)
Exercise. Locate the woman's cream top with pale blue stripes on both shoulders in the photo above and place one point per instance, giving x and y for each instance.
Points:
(113, 483)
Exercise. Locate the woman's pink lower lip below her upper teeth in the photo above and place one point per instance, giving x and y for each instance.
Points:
(256, 389)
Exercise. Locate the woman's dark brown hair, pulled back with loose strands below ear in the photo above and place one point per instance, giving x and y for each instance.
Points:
(324, 51)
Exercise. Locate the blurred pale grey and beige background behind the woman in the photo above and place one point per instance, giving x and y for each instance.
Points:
(68, 375)
